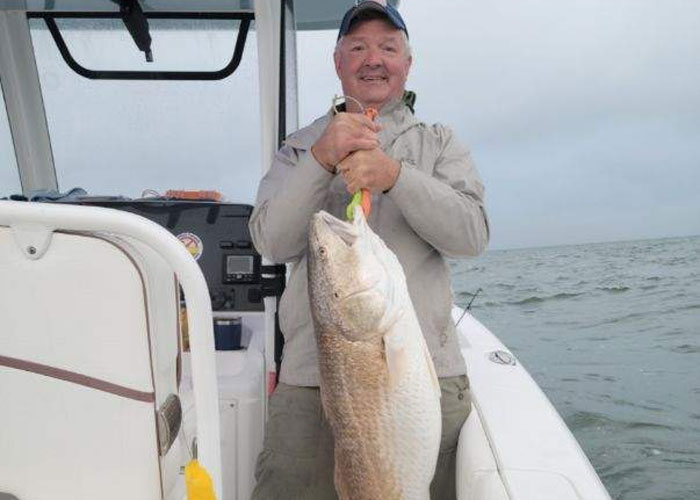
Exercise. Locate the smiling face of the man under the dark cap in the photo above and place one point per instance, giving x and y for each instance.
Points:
(372, 63)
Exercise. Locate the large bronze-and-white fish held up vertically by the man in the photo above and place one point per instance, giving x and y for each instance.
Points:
(378, 385)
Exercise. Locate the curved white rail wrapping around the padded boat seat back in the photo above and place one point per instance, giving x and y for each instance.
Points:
(33, 225)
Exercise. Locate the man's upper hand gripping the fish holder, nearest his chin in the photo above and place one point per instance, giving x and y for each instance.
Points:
(345, 134)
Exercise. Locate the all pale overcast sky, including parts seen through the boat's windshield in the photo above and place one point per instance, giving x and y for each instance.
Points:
(582, 116)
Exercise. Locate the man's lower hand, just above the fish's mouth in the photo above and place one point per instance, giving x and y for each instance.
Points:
(371, 169)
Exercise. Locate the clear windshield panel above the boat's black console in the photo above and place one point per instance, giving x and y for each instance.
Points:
(121, 137)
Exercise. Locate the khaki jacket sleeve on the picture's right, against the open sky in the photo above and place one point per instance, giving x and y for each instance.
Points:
(446, 208)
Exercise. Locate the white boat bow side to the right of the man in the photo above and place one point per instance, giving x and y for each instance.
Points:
(514, 444)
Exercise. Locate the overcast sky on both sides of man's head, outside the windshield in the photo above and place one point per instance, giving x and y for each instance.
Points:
(583, 117)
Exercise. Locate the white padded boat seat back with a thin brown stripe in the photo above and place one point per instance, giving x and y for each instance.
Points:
(88, 353)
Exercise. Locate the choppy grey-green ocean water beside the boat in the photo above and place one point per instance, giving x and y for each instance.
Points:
(611, 332)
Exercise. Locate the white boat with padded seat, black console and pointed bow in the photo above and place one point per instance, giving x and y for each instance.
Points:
(109, 386)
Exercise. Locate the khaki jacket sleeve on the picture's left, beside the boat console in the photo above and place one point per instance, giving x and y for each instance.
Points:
(289, 194)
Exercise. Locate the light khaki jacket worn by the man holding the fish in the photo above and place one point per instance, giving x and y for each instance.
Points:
(434, 210)
